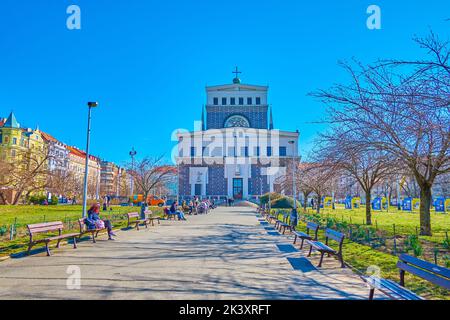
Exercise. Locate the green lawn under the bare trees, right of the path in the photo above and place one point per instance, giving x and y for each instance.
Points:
(360, 255)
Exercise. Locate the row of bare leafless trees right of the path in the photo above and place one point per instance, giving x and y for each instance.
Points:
(391, 120)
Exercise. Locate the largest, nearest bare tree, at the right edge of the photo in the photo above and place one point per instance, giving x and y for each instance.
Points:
(402, 108)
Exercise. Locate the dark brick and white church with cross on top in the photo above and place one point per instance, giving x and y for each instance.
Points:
(235, 152)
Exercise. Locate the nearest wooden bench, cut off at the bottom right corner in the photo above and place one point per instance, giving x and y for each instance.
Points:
(435, 274)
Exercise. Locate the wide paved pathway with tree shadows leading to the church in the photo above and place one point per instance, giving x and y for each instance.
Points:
(227, 254)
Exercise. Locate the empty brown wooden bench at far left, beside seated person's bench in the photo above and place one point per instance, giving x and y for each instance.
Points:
(47, 227)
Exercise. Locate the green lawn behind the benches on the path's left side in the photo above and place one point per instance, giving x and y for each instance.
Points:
(22, 215)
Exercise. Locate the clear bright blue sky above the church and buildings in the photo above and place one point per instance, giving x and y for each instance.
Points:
(147, 62)
